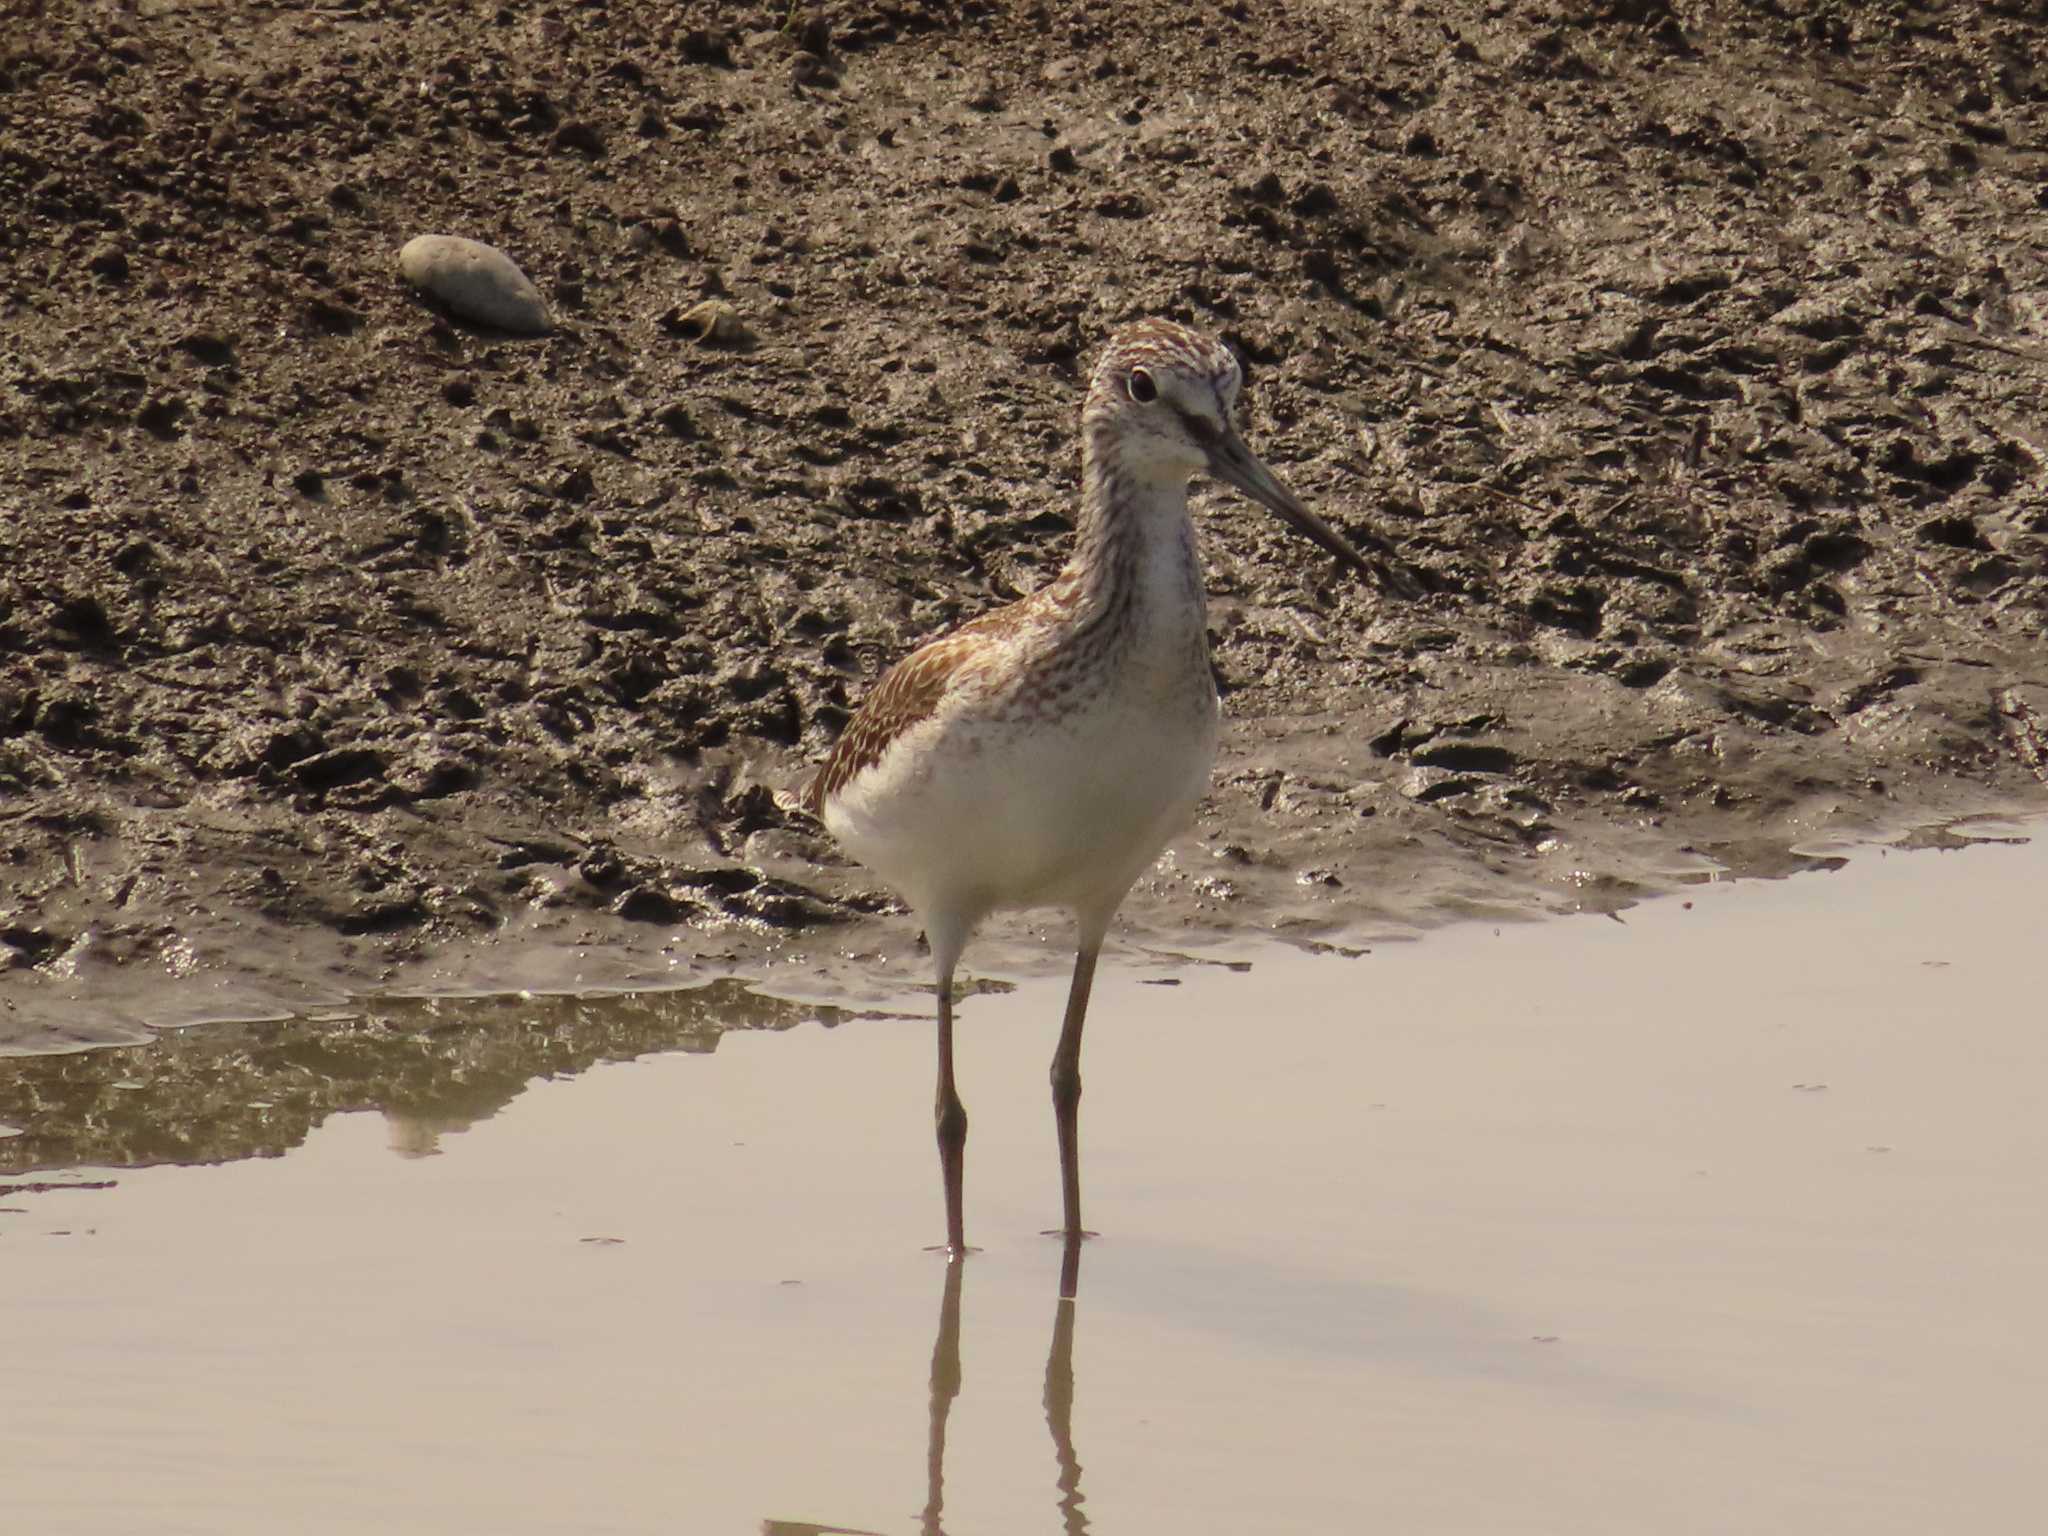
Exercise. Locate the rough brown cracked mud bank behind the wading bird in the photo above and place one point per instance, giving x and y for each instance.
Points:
(1691, 355)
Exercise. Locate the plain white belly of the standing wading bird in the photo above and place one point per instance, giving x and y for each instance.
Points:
(1066, 810)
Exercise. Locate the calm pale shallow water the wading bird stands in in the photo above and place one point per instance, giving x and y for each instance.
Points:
(1725, 1215)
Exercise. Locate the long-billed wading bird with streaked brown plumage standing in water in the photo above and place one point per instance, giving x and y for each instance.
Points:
(1043, 755)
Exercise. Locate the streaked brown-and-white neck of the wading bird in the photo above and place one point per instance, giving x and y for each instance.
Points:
(1136, 540)
